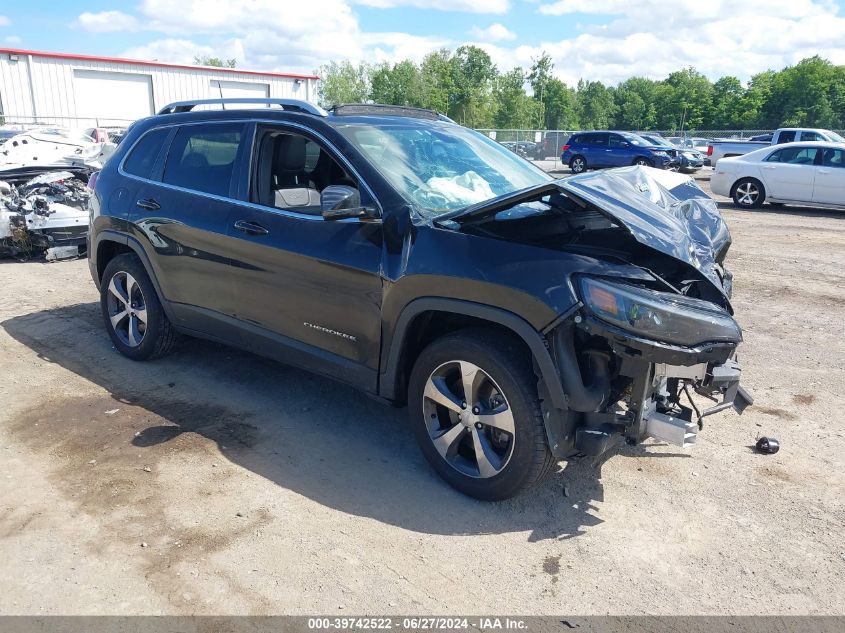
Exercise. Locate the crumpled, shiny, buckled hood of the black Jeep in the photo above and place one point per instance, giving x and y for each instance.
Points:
(663, 210)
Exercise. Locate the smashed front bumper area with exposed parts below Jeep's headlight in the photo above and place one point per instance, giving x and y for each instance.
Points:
(620, 386)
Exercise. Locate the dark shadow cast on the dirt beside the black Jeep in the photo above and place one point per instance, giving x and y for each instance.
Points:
(310, 435)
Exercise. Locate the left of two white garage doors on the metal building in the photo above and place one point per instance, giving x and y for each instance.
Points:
(112, 97)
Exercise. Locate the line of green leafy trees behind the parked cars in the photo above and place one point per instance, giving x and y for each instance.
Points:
(467, 86)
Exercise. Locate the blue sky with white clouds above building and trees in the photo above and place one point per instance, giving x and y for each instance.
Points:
(606, 40)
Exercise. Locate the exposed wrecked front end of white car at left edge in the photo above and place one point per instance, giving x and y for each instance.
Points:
(47, 214)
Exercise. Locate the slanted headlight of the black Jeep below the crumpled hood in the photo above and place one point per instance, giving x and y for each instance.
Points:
(661, 316)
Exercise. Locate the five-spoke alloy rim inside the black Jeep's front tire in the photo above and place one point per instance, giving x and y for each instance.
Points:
(469, 420)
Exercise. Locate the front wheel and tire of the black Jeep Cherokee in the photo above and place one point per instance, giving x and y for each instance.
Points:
(476, 414)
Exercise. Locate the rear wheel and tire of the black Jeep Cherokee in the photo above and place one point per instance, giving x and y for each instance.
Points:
(132, 312)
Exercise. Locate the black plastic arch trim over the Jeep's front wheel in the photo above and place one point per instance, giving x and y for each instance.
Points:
(427, 318)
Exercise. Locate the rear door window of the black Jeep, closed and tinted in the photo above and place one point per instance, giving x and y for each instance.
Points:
(202, 157)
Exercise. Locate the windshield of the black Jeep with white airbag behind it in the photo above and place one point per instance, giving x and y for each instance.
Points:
(441, 166)
